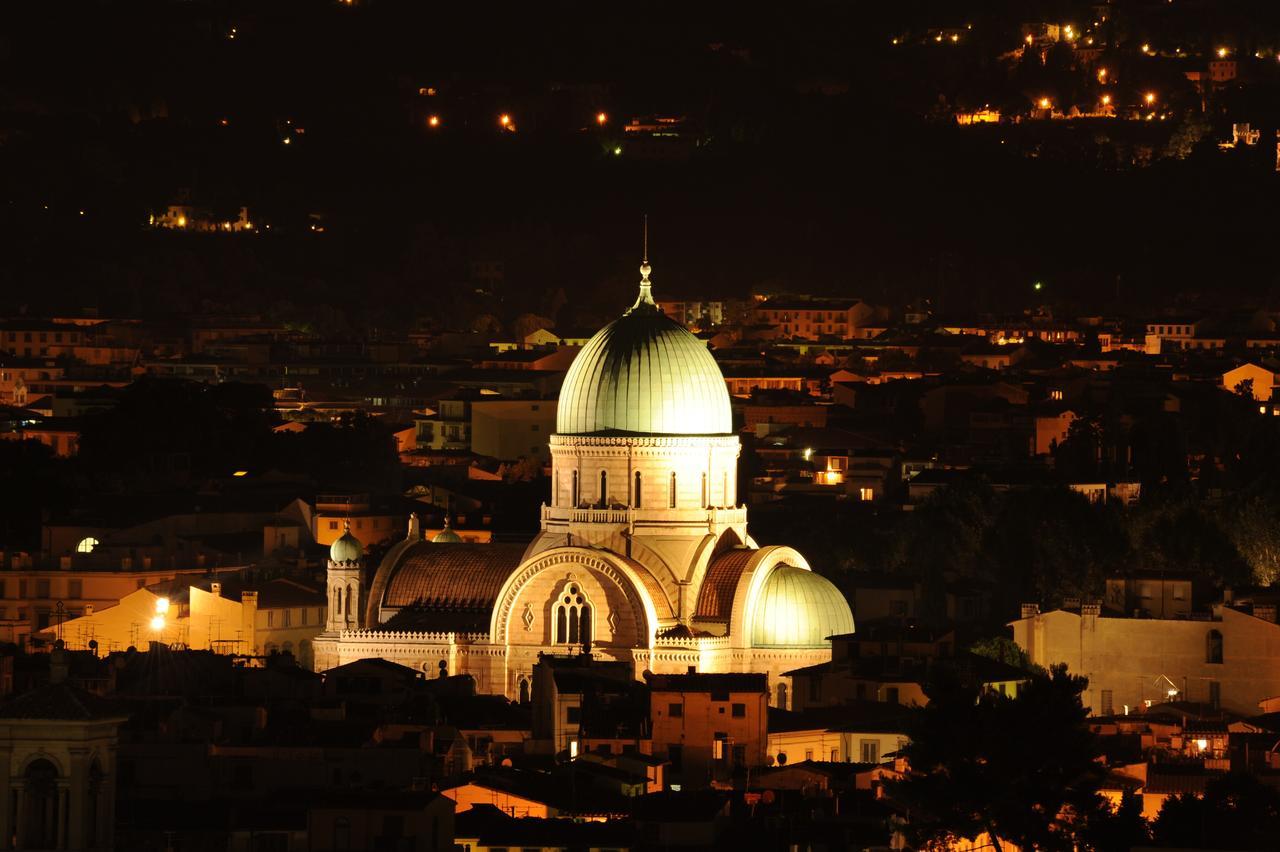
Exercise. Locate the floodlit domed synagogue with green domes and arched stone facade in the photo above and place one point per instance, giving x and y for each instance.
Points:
(644, 553)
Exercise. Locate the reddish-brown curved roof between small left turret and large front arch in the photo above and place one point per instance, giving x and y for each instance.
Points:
(452, 576)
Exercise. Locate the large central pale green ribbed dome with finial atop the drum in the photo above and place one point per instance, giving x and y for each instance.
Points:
(644, 374)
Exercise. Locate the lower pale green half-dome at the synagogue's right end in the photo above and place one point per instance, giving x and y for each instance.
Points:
(797, 608)
